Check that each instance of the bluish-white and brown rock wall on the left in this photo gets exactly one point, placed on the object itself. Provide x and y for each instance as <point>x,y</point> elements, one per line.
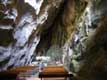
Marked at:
<point>21,23</point>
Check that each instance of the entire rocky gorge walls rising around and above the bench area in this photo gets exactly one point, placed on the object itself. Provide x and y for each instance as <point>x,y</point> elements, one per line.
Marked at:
<point>72,31</point>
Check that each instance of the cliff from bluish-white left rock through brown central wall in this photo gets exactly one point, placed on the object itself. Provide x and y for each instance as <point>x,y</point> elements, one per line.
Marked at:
<point>30,28</point>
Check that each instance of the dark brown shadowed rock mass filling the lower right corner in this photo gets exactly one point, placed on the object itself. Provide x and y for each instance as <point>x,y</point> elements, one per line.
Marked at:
<point>95,58</point>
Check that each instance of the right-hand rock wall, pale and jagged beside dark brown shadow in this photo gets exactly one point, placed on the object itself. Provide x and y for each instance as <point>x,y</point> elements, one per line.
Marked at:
<point>90,50</point>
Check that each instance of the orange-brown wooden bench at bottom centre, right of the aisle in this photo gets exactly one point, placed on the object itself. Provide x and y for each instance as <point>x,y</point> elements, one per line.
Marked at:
<point>55,71</point>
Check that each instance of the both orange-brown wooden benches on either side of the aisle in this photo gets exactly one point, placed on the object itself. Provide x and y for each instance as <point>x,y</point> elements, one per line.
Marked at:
<point>51,71</point>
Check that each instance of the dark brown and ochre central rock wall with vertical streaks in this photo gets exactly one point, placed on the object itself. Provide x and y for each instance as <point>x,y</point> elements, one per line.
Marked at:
<point>62,27</point>
